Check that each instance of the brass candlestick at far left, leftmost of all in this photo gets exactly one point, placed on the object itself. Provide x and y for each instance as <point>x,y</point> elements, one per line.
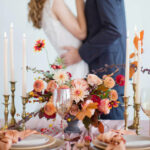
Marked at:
<point>6,97</point>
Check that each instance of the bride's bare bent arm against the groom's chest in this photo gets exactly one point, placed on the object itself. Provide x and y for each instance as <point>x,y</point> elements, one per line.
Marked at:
<point>75,25</point>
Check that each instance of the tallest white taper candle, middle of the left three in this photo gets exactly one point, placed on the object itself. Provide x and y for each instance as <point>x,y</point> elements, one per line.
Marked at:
<point>11,54</point>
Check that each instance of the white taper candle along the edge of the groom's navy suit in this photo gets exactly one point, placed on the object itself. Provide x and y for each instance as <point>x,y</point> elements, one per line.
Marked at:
<point>127,67</point>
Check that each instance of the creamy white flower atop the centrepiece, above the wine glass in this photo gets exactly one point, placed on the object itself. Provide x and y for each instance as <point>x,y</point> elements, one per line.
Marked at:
<point>61,77</point>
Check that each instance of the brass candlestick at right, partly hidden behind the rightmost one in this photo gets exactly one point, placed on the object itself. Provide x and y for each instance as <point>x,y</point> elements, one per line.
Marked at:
<point>133,126</point>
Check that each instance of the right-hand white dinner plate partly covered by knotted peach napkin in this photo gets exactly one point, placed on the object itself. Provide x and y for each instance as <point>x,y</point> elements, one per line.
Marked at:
<point>133,142</point>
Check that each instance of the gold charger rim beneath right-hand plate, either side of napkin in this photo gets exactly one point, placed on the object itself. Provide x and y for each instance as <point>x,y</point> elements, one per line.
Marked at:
<point>102,147</point>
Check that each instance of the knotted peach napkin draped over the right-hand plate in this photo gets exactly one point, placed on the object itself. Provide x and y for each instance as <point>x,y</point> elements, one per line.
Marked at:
<point>114,139</point>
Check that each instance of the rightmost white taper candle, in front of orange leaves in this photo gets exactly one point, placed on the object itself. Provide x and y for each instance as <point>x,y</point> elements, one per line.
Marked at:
<point>138,74</point>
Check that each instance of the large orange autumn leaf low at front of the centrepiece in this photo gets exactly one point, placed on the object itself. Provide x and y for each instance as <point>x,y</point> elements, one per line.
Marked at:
<point>86,111</point>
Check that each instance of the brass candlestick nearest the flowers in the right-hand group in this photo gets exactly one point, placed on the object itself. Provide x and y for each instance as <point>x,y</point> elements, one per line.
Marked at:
<point>126,100</point>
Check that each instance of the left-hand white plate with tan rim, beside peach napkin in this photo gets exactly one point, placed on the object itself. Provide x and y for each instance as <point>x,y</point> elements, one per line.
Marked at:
<point>34,142</point>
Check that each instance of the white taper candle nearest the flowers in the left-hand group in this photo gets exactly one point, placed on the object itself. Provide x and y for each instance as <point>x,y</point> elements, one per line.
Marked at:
<point>24,80</point>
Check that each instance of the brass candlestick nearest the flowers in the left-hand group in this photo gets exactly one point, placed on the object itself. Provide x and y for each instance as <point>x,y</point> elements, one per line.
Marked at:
<point>24,100</point>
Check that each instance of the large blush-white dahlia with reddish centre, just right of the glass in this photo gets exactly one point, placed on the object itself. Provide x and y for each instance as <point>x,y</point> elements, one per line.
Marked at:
<point>78,93</point>
